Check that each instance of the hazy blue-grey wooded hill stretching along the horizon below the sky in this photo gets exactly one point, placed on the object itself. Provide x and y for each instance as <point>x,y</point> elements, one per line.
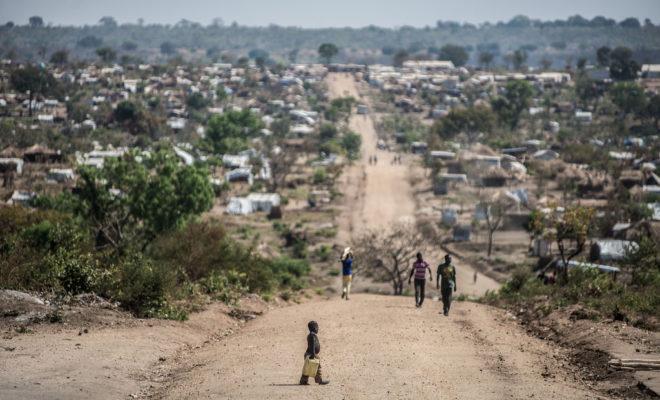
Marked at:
<point>558,41</point>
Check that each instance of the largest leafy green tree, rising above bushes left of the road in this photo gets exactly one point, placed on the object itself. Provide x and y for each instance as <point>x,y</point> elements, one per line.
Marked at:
<point>130,201</point>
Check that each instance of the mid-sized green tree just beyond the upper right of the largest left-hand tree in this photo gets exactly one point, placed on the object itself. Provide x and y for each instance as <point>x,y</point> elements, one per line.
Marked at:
<point>230,131</point>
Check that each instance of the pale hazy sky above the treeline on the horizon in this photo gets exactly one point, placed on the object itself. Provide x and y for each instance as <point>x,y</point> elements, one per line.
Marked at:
<point>319,13</point>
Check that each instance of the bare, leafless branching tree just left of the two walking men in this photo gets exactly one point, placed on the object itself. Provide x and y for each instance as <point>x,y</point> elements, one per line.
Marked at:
<point>387,254</point>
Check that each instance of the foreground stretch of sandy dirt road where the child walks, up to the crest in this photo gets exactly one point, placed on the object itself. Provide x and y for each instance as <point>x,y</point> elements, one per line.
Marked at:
<point>382,347</point>
